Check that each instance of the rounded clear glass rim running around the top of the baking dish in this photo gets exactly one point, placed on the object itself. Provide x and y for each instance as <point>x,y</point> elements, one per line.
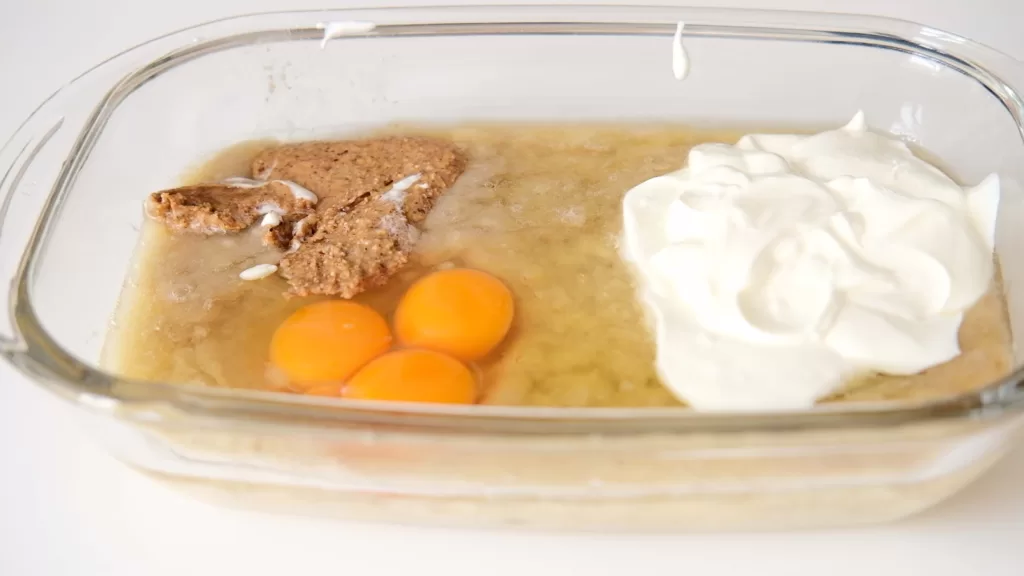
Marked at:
<point>42,358</point>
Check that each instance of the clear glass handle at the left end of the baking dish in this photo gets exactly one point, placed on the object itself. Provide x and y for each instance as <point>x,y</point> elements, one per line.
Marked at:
<point>24,189</point>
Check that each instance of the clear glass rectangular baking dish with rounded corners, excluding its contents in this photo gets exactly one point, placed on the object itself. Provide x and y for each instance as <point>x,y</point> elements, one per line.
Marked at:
<point>77,171</point>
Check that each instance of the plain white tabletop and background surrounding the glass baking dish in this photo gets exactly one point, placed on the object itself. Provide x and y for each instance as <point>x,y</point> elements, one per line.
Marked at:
<point>66,508</point>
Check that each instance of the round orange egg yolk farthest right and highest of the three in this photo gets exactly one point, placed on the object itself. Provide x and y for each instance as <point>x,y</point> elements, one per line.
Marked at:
<point>464,313</point>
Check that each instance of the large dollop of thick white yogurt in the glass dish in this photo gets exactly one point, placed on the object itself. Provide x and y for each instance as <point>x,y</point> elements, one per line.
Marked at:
<point>777,269</point>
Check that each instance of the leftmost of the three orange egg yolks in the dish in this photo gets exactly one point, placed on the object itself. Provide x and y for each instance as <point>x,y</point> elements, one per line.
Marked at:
<point>328,342</point>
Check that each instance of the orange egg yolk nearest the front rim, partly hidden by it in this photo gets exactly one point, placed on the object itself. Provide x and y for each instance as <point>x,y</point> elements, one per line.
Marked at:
<point>414,376</point>
